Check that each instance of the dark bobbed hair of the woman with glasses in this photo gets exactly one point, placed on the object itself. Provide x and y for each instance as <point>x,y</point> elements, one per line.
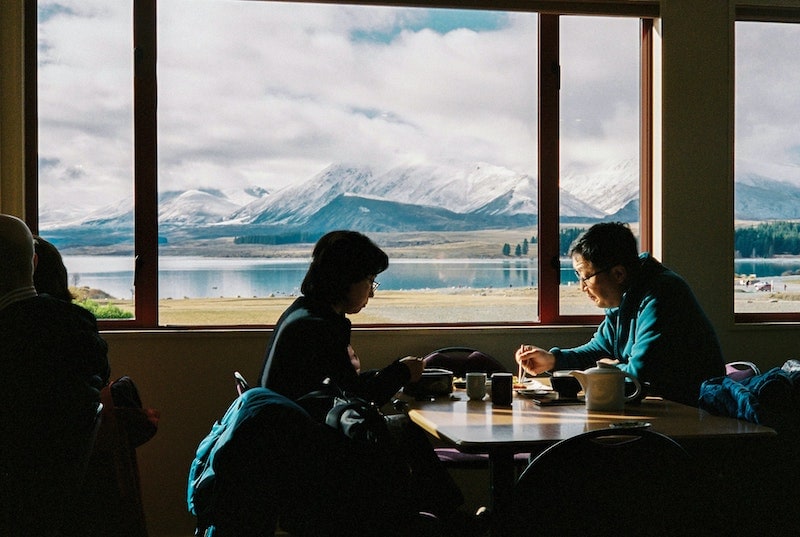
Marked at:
<point>340,259</point>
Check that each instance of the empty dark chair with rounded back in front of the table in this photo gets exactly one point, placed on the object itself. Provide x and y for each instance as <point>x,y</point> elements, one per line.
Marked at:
<point>607,482</point>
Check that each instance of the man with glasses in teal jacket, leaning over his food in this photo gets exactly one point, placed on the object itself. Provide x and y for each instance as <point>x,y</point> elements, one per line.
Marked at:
<point>654,327</point>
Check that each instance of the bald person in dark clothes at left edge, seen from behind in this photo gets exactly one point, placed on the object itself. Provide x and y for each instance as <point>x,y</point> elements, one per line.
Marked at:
<point>53,363</point>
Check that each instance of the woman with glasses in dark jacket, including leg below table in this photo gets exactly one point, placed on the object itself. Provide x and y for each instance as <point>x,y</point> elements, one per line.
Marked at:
<point>311,345</point>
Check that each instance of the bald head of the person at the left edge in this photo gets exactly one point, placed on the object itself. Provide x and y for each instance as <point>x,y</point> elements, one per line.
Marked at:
<point>16,254</point>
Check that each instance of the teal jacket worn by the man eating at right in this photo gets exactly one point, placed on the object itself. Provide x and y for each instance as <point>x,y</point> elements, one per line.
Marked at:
<point>659,333</point>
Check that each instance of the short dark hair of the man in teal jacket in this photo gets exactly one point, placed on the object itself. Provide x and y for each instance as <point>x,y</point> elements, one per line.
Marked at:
<point>607,244</point>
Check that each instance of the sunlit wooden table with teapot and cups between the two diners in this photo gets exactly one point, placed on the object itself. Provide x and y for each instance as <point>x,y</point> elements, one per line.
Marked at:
<point>500,432</point>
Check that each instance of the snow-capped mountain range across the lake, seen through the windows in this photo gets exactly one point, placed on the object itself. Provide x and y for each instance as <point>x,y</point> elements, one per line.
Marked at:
<point>409,198</point>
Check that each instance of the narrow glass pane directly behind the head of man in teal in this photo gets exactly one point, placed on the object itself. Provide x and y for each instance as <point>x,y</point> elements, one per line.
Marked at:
<point>600,120</point>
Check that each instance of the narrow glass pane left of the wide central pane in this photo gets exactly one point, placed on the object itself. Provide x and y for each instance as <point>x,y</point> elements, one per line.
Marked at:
<point>85,147</point>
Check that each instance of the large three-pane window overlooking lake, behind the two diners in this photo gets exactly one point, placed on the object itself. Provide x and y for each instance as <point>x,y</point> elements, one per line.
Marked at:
<point>277,122</point>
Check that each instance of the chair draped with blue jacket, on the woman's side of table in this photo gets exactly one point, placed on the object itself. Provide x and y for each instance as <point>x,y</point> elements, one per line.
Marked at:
<point>267,463</point>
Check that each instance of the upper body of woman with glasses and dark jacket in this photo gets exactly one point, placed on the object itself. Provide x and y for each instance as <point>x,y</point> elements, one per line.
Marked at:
<point>311,341</point>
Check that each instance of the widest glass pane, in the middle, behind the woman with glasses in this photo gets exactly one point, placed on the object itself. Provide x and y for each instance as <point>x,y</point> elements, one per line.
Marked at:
<point>279,122</point>
